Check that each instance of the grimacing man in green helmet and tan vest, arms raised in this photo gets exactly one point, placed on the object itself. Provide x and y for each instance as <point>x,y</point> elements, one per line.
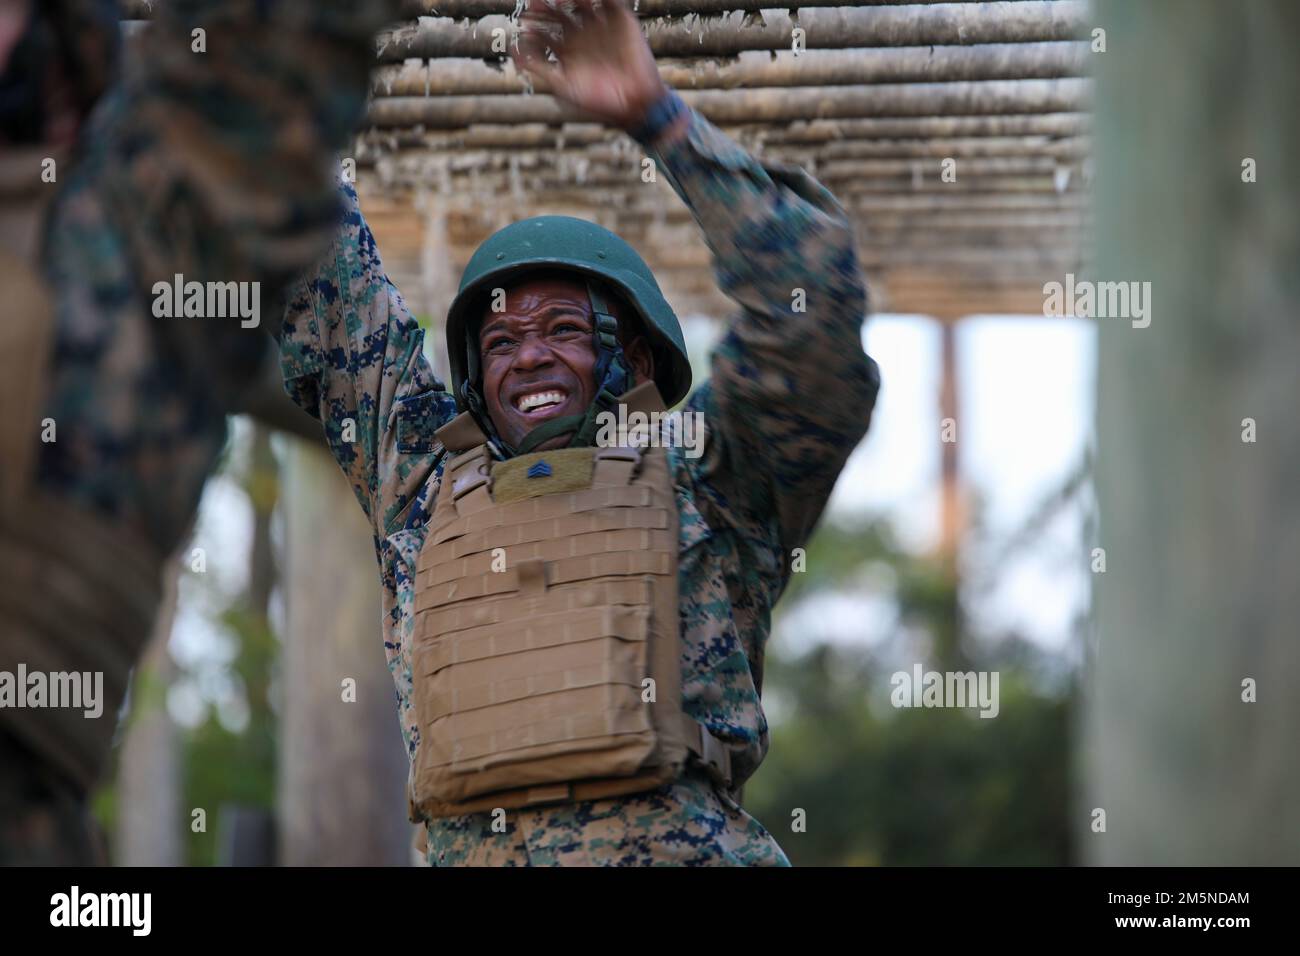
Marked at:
<point>577,617</point>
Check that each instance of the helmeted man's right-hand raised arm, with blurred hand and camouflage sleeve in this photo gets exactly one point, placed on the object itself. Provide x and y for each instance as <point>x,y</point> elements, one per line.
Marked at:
<point>791,392</point>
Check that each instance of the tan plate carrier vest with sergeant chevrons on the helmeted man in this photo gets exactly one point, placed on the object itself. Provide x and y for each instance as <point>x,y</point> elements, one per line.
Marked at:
<point>547,596</point>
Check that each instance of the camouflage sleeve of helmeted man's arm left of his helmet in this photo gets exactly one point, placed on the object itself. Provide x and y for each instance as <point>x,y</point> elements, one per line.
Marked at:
<point>353,356</point>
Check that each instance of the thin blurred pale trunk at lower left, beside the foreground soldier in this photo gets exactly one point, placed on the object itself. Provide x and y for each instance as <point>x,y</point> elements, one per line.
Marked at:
<point>149,775</point>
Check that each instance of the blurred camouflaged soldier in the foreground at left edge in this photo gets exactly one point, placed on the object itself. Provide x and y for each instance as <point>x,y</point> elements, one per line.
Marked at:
<point>207,163</point>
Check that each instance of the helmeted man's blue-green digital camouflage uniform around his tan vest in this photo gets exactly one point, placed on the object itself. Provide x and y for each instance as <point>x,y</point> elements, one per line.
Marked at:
<point>774,448</point>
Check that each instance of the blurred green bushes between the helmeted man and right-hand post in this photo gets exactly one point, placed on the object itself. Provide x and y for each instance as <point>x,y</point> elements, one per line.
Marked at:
<point>881,786</point>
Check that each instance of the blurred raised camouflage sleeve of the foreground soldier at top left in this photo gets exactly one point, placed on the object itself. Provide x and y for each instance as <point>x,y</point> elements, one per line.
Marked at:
<point>227,132</point>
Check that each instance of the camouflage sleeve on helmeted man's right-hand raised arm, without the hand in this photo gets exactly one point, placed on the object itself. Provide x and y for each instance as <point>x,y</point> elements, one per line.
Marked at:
<point>791,390</point>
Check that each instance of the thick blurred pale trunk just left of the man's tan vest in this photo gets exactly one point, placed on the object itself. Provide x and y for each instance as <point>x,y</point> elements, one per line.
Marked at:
<point>343,767</point>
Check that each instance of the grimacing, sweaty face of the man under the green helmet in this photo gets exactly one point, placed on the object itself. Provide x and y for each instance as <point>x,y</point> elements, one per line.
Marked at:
<point>539,357</point>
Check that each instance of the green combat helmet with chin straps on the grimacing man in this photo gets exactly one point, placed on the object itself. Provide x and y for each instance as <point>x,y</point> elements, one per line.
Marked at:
<point>566,245</point>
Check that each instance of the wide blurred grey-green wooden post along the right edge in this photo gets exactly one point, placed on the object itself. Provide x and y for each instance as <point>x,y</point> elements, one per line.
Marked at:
<point>1202,530</point>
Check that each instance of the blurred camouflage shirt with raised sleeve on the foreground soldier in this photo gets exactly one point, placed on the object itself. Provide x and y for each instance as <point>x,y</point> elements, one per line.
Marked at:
<point>216,166</point>
